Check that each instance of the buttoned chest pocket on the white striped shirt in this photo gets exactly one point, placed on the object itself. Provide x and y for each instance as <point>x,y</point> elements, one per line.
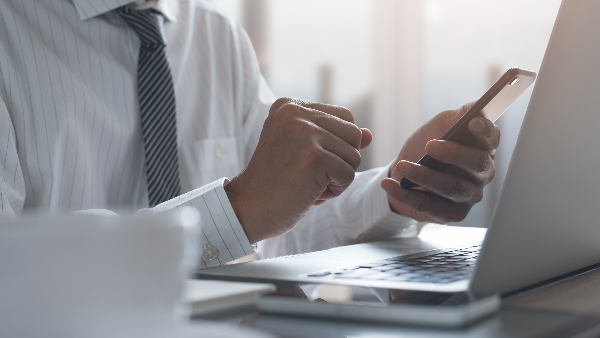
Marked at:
<point>208,160</point>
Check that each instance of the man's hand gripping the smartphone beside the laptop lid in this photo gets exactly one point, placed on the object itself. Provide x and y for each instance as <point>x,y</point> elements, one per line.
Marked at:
<point>448,196</point>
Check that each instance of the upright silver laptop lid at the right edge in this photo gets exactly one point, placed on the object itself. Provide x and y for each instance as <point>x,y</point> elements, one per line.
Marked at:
<point>547,220</point>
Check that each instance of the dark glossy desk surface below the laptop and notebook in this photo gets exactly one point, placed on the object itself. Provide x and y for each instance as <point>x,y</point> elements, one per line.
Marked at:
<point>570,308</point>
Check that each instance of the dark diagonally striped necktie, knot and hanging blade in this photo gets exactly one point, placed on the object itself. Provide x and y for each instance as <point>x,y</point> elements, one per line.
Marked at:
<point>157,105</point>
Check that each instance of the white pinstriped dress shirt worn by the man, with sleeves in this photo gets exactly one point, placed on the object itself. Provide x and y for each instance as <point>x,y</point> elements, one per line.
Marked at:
<point>70,135</point>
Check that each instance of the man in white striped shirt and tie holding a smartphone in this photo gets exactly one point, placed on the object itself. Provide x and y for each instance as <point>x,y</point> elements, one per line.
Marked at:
<point>88,91</point>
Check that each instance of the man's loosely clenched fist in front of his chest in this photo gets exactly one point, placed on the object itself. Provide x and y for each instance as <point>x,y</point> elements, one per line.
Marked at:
<point>307,153</point>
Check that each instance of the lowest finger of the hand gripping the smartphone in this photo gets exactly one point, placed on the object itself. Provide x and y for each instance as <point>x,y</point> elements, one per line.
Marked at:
<point>433,206</point>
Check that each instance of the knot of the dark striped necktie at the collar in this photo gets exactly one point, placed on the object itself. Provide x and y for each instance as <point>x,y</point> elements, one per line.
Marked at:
<point>148,24</point>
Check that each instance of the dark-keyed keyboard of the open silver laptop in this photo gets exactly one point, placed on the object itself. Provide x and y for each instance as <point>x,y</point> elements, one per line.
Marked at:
<point>445,267</point>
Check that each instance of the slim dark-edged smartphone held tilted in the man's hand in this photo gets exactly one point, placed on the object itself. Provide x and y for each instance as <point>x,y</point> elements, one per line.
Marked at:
<point>491,106</point>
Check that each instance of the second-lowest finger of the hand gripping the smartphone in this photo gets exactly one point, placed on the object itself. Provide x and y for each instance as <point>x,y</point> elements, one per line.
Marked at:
<point>447,185</point>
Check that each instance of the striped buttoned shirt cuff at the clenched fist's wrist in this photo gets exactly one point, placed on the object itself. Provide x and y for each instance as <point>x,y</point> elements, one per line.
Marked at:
<point>222,238</point>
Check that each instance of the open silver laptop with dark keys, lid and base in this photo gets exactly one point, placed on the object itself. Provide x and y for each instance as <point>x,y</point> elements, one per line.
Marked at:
<point>546,222</point>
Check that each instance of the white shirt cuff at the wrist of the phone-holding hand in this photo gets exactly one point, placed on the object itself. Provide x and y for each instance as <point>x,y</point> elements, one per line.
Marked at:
<point>378,212</point>
